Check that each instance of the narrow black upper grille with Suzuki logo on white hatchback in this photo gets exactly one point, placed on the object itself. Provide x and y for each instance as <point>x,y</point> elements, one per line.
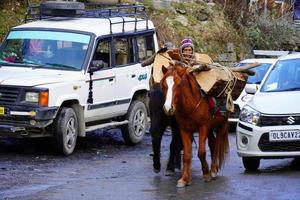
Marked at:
<point>279,120</point>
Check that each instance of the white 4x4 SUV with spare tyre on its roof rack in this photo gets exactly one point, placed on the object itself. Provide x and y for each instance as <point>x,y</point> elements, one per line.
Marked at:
<point>62,76</point>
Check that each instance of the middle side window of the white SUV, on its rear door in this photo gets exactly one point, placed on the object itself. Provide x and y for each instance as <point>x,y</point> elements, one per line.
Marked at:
<point>123,51</point>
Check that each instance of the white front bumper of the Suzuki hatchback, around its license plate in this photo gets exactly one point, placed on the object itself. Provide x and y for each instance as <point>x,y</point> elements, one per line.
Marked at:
<point>253,141</point>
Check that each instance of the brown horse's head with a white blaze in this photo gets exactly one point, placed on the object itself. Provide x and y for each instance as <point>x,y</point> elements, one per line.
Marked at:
<point>170,85</point>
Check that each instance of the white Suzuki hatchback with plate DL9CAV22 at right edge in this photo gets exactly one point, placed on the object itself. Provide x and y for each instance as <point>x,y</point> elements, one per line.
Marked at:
<point>269,124</point>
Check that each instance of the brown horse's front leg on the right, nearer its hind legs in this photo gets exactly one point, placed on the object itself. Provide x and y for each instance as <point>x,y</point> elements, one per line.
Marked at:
<point>203,133</point>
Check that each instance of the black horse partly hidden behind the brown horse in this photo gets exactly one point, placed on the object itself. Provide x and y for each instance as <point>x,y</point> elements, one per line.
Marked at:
<point>158,125</point>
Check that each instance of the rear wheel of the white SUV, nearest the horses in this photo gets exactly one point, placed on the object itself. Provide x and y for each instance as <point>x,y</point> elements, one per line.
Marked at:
<point>134,131</point>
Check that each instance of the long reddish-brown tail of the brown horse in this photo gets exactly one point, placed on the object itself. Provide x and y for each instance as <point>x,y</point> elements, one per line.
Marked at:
<point>222,144</point>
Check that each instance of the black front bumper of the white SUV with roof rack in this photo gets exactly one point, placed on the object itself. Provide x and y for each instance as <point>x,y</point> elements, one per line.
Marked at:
<point>20,121</point>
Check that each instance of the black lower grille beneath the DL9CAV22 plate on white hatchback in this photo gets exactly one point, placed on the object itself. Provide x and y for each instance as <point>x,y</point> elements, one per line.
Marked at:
<point>265,145</point>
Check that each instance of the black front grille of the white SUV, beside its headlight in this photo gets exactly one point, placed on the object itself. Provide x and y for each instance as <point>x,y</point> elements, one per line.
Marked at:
<point>9,95</point>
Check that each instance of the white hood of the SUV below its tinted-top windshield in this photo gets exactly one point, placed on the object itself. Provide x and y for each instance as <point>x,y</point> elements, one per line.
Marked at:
<point>34,77</point>
